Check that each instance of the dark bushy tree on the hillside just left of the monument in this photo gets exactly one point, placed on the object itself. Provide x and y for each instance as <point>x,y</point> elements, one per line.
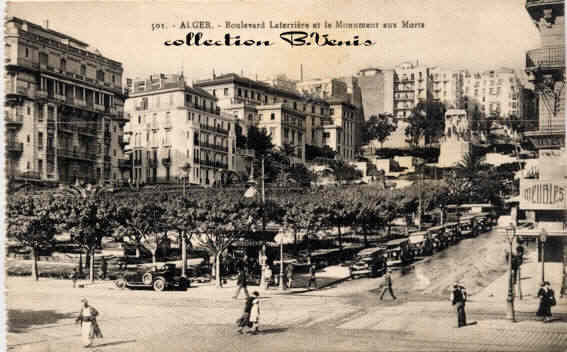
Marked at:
<point>427,120</point>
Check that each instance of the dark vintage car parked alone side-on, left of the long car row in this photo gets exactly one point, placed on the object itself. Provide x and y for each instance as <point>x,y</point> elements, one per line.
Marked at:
<point>161,279</point>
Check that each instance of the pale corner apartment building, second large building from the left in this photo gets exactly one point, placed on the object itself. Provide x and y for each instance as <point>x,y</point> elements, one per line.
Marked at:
<point>177,131</point>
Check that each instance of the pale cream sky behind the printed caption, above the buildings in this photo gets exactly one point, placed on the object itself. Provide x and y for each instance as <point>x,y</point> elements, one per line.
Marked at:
<point>474,35</point>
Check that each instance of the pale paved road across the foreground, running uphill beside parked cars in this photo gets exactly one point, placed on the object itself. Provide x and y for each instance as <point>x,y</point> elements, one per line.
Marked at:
<point>347,317</point>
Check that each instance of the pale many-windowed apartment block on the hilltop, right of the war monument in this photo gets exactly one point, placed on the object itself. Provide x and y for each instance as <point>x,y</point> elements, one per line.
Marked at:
<point>495,93</point>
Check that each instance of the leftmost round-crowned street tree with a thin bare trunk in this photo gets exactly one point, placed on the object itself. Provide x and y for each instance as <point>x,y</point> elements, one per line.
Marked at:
<point>32,222</point>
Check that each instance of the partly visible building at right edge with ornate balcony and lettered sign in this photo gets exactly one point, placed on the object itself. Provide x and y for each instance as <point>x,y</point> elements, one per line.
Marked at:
<point>543,195</point>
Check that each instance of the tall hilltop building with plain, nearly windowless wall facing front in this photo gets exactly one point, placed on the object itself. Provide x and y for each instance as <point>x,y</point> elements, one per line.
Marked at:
<point>377,91</point>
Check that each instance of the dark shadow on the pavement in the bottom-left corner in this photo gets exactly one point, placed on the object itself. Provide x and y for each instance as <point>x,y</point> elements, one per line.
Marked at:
<point>21,320</point>
